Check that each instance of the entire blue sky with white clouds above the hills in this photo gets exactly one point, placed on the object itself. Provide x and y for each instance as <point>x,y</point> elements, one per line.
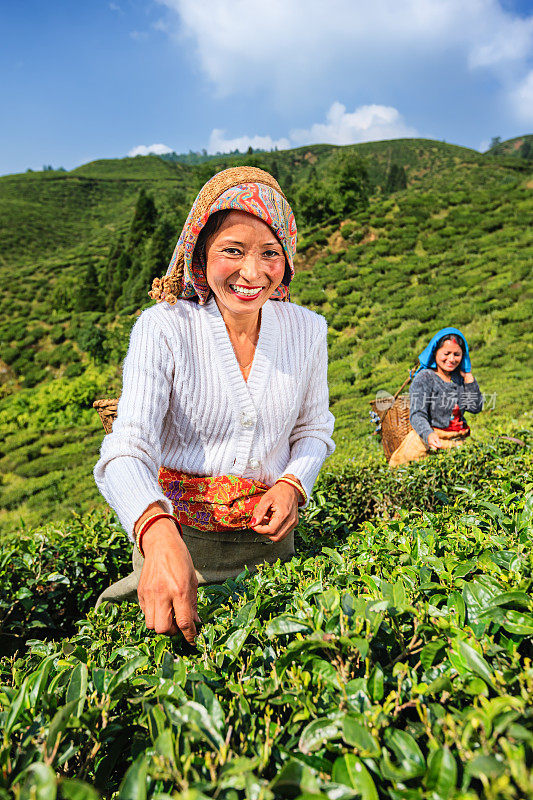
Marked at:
<point>100,79</point>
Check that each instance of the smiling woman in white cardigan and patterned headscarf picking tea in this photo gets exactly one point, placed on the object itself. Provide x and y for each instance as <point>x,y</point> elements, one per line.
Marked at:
<point>223,423</point>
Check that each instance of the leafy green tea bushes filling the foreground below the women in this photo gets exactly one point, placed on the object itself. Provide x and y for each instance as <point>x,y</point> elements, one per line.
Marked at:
<point>390,658</point>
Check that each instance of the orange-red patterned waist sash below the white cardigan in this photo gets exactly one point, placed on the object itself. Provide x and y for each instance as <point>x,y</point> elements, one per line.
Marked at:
<point>212,503</point>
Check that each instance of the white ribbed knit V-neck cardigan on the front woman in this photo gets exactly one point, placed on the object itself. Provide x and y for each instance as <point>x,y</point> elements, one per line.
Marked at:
<point>186,406</point>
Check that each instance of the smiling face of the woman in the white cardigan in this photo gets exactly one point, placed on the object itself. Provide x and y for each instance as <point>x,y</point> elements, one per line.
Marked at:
<point>245,263</point>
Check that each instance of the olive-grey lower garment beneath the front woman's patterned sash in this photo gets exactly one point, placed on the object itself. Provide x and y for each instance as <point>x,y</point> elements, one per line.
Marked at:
<point>216,556</point>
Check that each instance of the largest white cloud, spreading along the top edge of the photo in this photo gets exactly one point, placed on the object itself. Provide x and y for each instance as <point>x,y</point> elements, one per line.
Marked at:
<point>286,46</point>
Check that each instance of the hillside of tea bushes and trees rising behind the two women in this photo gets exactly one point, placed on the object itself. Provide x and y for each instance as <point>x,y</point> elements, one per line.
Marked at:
<point>397,239</point>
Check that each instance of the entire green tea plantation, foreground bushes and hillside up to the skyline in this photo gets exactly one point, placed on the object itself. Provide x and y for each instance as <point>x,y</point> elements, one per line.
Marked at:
<point>392,657</point>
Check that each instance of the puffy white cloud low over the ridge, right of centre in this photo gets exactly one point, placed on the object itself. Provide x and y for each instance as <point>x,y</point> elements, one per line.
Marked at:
<point>366,124</point>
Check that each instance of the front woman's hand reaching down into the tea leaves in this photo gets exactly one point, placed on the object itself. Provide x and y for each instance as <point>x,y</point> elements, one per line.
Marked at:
<point>168,586</point>
